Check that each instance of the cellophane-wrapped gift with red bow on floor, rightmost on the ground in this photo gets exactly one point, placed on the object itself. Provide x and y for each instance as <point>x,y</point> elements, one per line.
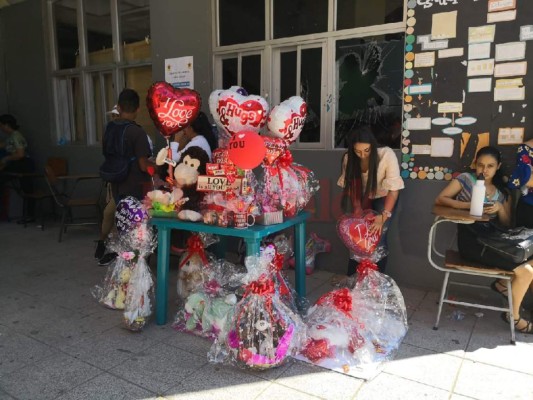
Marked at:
<point>354,331</point>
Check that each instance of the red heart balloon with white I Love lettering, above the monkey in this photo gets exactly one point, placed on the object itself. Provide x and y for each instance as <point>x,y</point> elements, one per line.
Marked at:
<point>172,109</point>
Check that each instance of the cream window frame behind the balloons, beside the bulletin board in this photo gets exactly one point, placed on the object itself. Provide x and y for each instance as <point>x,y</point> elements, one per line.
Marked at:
<point>270,71</point>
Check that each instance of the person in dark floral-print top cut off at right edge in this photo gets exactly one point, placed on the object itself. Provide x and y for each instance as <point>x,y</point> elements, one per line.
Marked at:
<point>522,179</point>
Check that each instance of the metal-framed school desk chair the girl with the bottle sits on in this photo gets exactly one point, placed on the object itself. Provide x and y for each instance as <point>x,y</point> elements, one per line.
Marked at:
<point>451,263</point>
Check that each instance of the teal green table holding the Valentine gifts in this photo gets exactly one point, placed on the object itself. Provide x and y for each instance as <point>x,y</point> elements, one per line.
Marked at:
<point>252,237</point>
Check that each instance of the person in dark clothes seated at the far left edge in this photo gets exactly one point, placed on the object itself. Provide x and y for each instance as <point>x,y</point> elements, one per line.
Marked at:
<point>15,159</point>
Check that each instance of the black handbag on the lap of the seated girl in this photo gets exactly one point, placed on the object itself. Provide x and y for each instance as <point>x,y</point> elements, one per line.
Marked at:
<point>515,245</point>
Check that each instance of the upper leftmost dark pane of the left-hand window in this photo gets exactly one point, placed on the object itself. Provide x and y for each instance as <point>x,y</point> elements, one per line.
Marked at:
<point>66,34</point>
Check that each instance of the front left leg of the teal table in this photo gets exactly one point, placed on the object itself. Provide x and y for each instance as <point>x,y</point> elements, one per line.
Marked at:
<point>161,292</point>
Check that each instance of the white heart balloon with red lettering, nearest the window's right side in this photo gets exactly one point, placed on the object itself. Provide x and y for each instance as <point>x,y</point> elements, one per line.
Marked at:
<point>287,119</point>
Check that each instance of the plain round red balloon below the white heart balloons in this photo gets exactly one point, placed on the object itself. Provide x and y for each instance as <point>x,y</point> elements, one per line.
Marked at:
<point>246,149</point>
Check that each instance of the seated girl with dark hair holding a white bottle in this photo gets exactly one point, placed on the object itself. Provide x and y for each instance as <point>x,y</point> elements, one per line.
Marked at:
<point>457,195</point>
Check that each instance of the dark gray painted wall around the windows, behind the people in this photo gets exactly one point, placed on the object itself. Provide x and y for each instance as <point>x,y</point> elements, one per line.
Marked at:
<point>183,28</point>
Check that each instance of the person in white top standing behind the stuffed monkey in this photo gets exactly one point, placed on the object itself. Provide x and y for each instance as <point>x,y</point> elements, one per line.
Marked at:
<point>199,134</point>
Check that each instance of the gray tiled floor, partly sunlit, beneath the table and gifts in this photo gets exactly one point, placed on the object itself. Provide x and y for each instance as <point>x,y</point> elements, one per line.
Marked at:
<point>56,342</point>
